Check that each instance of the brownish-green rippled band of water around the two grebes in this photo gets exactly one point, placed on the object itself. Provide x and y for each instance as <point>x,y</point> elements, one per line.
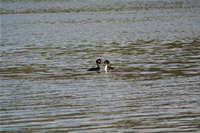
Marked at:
<point>148,61</point>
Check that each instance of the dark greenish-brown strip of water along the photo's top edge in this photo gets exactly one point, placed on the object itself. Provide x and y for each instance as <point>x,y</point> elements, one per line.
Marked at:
<point>90,6</point>
